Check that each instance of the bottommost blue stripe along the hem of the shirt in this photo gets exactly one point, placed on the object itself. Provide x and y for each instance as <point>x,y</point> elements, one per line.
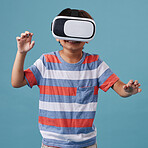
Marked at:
<point>68,143</point>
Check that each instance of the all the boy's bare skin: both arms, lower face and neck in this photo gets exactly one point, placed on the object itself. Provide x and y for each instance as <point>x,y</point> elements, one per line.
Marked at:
<point>71,53</point>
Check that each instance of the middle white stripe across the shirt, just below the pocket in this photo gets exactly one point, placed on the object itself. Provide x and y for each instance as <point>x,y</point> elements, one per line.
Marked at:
<point>70,107</point>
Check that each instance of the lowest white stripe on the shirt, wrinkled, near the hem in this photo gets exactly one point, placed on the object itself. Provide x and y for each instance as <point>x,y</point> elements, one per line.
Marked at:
<point>68,137</point>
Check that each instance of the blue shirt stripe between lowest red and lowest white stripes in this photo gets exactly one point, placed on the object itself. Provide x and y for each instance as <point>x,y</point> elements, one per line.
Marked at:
<point>65,130</point>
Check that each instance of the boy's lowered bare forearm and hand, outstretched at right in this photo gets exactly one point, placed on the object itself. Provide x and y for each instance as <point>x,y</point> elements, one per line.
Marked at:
<point>126,90</point>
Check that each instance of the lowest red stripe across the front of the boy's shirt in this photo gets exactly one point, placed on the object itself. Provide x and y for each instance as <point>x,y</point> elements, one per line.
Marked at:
<point>66,122</point>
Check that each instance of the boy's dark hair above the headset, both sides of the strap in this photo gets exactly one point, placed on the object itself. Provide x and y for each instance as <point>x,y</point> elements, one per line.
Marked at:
<point>81,13</point>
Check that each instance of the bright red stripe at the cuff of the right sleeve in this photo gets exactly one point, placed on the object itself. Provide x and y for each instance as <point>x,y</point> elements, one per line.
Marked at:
<point>109,82</point>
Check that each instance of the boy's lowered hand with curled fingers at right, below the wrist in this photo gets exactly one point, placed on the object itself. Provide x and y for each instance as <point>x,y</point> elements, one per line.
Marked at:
<point>132,87</point>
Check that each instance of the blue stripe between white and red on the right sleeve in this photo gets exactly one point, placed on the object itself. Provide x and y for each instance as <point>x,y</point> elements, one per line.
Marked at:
<point>104,76</point>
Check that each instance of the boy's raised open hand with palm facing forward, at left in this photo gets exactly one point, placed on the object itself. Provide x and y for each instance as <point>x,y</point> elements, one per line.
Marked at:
<point>24,43</point>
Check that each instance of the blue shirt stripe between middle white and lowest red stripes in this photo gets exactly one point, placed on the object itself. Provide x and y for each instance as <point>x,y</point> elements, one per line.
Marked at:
<point>67,115</point>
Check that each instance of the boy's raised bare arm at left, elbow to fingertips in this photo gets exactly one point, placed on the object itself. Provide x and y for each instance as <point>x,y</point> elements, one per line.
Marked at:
<point>24,44</point>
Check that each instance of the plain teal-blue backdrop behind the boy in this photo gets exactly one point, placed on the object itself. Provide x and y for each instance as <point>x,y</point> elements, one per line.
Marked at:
<point>121,41</point>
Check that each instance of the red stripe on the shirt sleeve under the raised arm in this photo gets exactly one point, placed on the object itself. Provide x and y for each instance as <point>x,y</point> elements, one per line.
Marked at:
<point>30,77</point>
